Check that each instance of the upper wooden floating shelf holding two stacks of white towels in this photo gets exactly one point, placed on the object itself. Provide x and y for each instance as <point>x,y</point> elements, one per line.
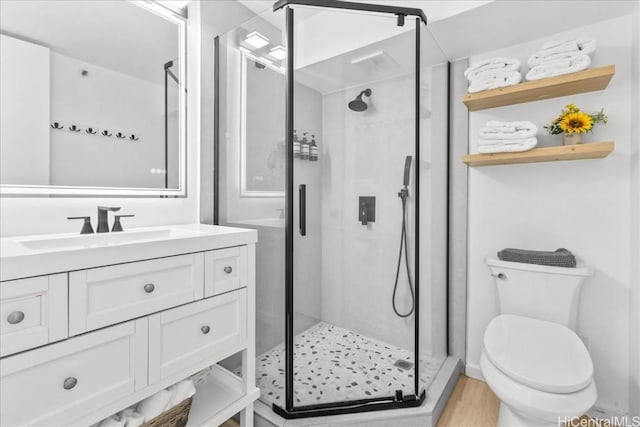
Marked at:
<point>569,84</point>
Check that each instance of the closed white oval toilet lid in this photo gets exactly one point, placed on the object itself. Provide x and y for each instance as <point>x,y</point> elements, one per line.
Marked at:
<point>540,354</point>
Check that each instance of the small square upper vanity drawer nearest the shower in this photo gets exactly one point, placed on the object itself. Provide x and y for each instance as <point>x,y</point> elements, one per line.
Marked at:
<point>225,270</point>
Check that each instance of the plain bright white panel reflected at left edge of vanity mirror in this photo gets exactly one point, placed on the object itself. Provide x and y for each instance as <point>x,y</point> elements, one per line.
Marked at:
<point>24,112</point>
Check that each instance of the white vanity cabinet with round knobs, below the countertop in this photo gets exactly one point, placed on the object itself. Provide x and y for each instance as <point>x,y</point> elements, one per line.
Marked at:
<point>81,345</point>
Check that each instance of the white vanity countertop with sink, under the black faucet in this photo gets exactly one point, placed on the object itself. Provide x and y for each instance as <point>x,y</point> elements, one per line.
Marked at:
<point>27,256</point>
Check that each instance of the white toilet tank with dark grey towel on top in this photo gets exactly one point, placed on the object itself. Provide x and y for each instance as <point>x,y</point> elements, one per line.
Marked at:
<point>539,291</point>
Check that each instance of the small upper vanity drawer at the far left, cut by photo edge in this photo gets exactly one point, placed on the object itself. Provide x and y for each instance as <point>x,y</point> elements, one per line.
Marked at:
<point>33,312</point>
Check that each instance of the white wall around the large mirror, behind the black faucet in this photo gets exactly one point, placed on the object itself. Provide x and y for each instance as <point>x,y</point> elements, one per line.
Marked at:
<point>21,216</point>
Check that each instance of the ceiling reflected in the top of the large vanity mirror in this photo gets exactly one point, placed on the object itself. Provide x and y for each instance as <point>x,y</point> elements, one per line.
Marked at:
<point>110,33</point>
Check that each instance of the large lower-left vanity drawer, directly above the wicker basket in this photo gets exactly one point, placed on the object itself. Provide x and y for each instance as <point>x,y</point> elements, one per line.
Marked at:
<point>47,386</point>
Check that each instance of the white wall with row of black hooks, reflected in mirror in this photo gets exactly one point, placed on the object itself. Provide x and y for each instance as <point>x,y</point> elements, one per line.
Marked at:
<point>106,99</point>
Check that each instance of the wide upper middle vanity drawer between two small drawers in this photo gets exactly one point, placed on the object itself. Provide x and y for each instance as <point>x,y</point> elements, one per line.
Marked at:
<point>107,295</point>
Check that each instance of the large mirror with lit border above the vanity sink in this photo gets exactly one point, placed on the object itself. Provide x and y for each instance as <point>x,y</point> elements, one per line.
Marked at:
<point>92,98</point>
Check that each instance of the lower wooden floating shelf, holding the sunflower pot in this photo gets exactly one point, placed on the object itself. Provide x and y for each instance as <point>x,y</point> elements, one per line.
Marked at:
<point>590,150</point>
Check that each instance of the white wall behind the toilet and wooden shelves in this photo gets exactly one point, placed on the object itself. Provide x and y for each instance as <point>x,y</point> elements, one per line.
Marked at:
<point>580,205</point>
